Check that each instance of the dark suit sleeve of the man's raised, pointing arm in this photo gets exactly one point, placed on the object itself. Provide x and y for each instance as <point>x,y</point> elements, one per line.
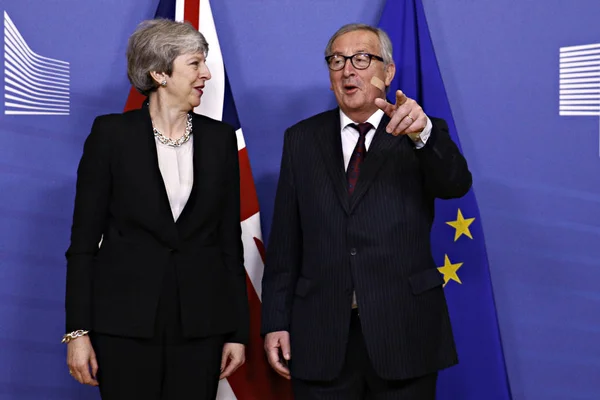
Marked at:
<point>445,170</point>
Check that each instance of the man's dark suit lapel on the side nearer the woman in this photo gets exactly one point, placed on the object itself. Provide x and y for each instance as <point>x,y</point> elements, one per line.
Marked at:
<point>330,144</point>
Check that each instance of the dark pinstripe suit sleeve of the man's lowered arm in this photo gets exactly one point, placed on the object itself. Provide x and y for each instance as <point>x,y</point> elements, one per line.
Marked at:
<point>283,258</point>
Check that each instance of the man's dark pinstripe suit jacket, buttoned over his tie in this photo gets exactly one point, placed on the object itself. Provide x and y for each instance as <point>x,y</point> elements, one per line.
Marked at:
<point>324,245</point>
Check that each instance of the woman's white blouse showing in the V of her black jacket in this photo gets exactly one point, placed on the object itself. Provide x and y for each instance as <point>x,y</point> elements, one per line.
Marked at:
<point>177,169</point>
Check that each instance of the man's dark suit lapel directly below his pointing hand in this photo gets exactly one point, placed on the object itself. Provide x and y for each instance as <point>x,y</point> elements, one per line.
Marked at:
<point>378,152</point>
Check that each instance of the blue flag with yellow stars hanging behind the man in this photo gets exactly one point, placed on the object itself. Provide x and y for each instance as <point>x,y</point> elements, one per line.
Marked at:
<point>457,236</point>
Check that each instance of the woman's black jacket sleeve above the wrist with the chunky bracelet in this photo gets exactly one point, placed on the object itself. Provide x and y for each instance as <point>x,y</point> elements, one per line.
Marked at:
<point>89,219</point>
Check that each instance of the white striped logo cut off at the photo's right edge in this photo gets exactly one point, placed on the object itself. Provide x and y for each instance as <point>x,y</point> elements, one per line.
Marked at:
<point>579,71</point>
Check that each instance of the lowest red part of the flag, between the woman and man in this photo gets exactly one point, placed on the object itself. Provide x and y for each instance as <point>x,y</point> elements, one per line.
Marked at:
<point>255,380</point>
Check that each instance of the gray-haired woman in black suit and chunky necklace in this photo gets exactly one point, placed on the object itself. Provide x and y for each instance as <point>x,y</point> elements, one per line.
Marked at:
<point>159,309</point>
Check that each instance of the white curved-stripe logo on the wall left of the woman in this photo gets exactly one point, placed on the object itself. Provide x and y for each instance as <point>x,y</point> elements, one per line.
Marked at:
<point>33,84</point>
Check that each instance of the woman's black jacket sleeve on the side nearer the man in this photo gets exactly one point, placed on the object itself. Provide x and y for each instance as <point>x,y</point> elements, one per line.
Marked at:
<point>231,241</point>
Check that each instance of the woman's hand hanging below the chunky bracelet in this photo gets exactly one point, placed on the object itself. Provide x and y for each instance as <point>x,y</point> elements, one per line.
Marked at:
<point>80,358</point>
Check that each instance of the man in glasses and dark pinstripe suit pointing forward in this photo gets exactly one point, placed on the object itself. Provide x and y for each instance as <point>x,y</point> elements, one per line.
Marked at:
<point>352,299</point>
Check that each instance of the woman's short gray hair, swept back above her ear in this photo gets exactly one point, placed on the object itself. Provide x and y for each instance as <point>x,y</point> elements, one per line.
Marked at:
<point>154,46</point>
